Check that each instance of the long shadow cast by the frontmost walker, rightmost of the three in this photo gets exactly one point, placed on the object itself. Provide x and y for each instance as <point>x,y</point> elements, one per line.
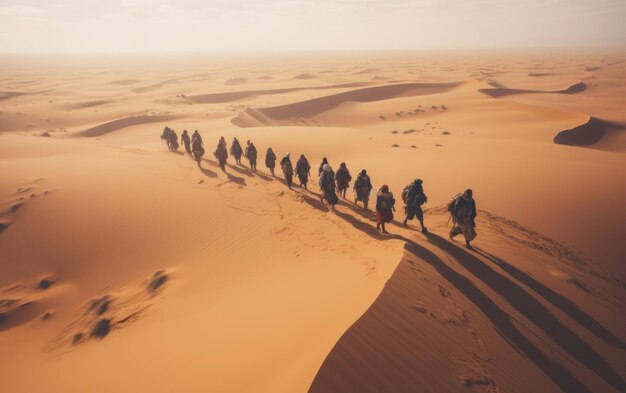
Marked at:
<point>559,301</point>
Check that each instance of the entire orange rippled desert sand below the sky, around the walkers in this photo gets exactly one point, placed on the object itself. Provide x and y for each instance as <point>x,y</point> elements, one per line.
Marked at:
<point>124,267</point>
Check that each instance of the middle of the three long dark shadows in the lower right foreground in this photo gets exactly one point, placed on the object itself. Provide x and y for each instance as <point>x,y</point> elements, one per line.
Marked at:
<point>534,311</point>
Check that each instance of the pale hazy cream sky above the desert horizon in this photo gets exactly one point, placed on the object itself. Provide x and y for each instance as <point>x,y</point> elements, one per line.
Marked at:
<point>284,25</point>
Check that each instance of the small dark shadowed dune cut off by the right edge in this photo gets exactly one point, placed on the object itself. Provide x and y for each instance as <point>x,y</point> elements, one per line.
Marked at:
<point>595,133</point>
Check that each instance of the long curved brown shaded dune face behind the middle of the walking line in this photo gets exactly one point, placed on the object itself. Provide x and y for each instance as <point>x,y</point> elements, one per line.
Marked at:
<point>313,107</point>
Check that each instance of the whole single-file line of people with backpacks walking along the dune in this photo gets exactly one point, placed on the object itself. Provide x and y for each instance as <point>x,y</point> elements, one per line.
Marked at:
<point>462,207</point>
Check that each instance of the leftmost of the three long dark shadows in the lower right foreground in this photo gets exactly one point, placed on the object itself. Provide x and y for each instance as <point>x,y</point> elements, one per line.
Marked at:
<point>560,375</point>
